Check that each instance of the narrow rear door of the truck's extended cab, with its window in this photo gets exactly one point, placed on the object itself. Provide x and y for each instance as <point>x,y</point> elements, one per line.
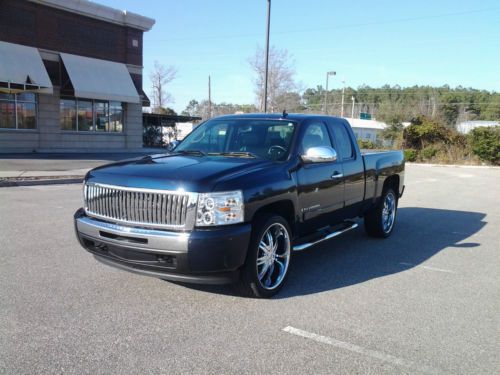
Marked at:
<point>353,167</point>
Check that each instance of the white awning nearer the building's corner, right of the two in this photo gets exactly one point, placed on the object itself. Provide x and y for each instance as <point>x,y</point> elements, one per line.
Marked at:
<point>100,79</point>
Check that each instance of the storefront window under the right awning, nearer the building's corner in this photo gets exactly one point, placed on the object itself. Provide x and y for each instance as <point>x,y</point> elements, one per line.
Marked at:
<point>91,115</point>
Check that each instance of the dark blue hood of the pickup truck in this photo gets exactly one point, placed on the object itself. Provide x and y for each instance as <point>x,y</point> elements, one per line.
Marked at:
<point>172,172</point>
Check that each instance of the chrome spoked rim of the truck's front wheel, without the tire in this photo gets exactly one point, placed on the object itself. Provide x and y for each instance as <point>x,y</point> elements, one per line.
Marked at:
<point>273,256</point>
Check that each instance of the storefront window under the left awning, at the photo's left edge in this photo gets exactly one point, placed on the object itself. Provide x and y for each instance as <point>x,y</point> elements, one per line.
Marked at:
<point>18,111</point>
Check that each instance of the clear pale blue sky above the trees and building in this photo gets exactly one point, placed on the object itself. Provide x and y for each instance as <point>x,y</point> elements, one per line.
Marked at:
<point>408,43</point>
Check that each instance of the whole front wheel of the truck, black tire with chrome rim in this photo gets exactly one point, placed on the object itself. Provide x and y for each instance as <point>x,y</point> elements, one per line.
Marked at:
<point>268,257</point>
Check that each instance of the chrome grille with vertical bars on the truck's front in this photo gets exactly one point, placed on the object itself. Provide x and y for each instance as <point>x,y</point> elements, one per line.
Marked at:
<point>155,208</point>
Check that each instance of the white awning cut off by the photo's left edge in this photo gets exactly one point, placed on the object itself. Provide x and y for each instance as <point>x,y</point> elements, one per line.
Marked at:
<point>22,69</point>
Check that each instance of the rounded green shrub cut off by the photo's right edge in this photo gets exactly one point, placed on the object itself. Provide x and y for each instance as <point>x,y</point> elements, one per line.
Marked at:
<point>485,143</point>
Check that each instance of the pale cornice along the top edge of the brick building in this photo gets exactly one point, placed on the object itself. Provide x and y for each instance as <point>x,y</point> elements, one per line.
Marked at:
<point>101,12</point>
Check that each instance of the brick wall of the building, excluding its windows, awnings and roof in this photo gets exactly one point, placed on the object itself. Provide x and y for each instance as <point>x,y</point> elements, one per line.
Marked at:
<point>53,31</point>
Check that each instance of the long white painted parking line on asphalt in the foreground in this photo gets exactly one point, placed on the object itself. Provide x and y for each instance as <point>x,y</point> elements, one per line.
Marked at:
<point>360,350</point>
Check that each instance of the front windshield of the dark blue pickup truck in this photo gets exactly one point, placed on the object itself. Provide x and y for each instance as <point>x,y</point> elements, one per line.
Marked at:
<point>268,139</point>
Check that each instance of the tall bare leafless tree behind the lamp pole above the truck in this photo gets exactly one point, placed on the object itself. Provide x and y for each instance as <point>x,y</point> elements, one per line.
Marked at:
<point>280,76</point>
